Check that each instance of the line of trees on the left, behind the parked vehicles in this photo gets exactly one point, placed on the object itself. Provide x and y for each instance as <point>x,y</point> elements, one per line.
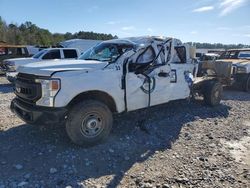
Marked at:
<point>29,34</point>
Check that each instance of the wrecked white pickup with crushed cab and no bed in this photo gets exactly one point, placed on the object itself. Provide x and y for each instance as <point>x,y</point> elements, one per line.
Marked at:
<point>115,76</point>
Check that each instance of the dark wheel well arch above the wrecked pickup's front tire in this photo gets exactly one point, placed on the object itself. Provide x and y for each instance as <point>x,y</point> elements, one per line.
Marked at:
<point>95,95</point>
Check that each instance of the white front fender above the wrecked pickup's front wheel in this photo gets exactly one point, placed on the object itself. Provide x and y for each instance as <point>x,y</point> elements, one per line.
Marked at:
<point>74,83</point>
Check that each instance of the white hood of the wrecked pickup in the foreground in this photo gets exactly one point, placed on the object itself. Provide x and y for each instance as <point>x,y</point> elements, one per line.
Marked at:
<point>46,68</point>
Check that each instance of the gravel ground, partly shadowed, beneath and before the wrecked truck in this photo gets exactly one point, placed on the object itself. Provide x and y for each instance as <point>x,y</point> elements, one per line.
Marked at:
<point>179,144</point>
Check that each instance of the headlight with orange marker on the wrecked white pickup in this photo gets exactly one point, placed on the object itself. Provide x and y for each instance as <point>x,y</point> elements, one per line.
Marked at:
<point>49,90</point>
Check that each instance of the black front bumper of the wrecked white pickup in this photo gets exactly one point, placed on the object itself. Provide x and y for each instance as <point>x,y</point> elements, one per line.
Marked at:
<point>36,114</point>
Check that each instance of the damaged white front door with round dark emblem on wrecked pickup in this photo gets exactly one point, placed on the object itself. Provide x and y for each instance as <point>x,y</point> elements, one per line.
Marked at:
<point>141,94</point>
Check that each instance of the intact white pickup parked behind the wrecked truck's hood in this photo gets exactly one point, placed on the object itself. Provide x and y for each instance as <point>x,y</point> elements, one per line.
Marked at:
<point>10,65</point>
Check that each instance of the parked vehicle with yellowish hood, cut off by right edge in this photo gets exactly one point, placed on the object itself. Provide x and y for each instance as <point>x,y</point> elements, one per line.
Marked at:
<point>240,60</point>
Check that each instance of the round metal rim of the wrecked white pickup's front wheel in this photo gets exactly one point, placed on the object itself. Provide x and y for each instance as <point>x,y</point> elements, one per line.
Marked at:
<point>92,125</point>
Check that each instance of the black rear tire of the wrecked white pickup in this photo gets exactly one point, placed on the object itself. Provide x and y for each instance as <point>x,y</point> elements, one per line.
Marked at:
<point>212,93</point>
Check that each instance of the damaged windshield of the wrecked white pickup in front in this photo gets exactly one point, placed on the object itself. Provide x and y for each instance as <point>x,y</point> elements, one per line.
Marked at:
<point>106,52</point>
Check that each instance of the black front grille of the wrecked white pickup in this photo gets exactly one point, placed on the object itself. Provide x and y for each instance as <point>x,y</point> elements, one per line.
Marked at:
<point>26,88</point>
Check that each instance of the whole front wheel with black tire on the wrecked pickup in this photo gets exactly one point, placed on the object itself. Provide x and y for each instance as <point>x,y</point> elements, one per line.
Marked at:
<point>89,123</point>
